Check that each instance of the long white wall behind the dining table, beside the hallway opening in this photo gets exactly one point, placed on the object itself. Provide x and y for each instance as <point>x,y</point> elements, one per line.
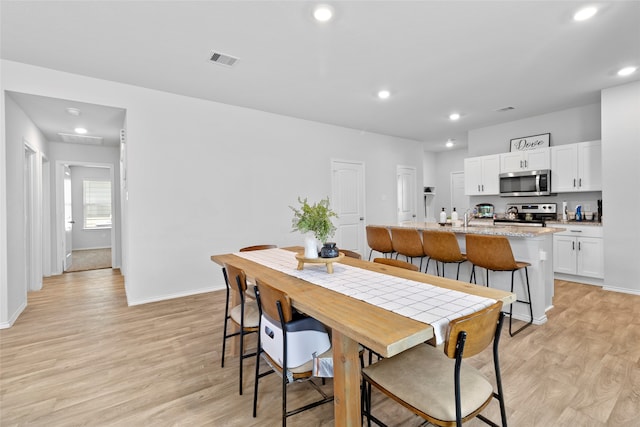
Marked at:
<point>206,178</point>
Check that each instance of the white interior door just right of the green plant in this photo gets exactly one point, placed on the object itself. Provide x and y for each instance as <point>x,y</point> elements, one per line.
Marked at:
<point>347,187</point>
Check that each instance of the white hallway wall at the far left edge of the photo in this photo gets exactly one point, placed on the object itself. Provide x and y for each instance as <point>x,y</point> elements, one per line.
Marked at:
<point>19,129</point>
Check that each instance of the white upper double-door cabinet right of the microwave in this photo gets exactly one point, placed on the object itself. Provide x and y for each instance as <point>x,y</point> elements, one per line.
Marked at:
<point>576,167</point>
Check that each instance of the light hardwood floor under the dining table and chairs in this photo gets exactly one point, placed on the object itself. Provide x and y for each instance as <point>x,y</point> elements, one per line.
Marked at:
<point>79,356</point>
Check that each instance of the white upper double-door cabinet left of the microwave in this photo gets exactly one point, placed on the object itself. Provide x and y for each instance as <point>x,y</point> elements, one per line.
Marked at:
<point>481,175</point>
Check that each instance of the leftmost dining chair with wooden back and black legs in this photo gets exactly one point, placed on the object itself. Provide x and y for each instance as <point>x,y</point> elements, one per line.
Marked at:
<point>245,316</point>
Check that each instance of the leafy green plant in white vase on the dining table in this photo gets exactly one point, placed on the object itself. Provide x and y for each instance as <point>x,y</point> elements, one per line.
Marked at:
<point>315,219</point>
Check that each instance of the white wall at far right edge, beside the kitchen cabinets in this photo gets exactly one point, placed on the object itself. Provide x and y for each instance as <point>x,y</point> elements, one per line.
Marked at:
<point>621,176</point>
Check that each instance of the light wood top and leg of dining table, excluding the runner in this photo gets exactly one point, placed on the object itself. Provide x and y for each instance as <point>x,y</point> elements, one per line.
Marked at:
<point>355,322</point>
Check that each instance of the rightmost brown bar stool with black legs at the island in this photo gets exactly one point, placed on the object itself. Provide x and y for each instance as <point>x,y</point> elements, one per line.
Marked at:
<point>494,253</point>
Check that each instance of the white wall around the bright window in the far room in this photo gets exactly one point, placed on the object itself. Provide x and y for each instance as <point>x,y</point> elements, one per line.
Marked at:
<point>87,238</point>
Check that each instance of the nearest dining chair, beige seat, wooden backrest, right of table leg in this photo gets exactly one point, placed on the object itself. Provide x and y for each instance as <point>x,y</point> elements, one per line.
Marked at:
<point>435,383</point>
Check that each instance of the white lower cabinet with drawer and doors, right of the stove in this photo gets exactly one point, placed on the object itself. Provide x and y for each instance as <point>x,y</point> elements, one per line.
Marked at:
<point>579,251</point>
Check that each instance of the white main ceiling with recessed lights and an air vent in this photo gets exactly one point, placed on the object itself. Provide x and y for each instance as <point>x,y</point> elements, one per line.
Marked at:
<point>436,57</point>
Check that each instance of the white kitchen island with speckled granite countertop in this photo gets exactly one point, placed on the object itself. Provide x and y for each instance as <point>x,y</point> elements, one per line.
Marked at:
<point>530,244</point>
